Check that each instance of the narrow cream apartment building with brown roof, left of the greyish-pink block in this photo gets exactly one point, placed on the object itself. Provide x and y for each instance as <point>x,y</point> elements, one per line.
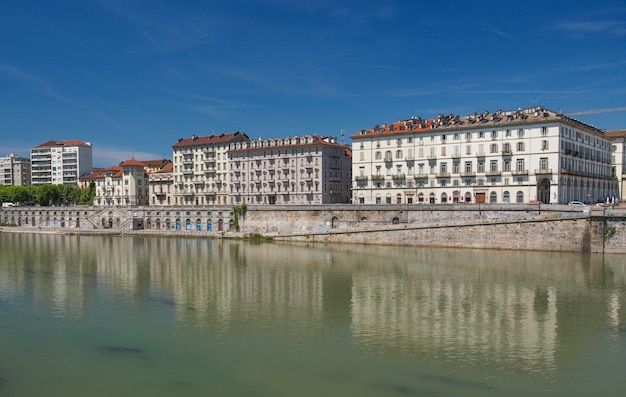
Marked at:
<point>200,168</point>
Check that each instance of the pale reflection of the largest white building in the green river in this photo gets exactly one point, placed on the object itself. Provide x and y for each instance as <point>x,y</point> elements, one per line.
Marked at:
<point>462,320</point>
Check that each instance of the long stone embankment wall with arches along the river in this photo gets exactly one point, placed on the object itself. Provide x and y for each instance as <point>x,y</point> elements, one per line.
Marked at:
<point>519,227</point>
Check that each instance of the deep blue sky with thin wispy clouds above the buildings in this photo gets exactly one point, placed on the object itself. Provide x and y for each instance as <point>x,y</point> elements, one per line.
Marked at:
<point>132,77</point>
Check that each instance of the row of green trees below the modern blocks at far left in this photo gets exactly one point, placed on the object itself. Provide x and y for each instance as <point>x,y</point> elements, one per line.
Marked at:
<point>47,194</point>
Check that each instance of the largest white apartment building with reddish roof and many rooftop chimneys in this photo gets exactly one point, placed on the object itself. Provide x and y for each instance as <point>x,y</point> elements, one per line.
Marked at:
<point>517,156</point>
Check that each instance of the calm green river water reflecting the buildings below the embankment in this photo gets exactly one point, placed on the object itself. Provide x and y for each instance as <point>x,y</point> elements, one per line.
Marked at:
<point>131,316</point>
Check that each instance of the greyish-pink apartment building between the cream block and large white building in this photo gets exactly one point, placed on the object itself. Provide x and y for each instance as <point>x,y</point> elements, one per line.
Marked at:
<point>296,170</point>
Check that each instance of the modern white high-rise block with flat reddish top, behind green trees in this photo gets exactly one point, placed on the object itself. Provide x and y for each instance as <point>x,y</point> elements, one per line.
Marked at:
<point>60,163</point>
